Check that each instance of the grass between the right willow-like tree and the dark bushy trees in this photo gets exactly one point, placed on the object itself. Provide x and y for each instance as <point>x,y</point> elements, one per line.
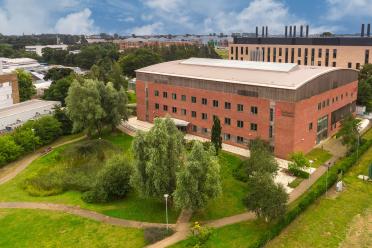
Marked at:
<point>233,192</point>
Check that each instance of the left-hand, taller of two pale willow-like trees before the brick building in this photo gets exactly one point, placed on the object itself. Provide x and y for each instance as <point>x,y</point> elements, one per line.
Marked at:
<point>157,156</point>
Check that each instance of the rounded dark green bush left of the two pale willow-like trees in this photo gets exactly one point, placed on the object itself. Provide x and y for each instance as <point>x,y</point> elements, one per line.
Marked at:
<point>113,182</point>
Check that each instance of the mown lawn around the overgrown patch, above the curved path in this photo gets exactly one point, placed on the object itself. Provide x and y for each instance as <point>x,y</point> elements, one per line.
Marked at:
<point>132,207</point>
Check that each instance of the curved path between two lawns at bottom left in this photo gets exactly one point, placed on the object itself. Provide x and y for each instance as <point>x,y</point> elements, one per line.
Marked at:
<point>82,213</point>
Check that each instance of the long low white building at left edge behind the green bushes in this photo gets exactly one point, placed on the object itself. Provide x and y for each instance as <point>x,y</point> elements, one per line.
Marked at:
<point>17,114</point>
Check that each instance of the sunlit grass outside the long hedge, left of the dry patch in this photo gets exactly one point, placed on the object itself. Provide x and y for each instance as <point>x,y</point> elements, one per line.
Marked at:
<point>326,223</point>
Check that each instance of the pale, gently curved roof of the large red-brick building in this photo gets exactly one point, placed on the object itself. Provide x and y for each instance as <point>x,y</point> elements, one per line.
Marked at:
<point>266,74</point>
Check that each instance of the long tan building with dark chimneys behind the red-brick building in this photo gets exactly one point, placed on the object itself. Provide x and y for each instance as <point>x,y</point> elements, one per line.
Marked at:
<point>297,46</point>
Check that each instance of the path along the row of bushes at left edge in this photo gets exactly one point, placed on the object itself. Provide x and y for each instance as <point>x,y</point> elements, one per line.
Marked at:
<point>18,166</point>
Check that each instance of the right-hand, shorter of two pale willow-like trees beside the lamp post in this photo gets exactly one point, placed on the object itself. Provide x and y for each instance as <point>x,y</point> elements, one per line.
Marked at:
<point>199,180</point>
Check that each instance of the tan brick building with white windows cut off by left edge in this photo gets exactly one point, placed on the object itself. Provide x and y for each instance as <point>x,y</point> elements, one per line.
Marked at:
<point>9,93</point>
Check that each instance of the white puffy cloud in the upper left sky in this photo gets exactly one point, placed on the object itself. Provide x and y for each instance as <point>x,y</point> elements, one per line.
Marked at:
<point>76,23</point>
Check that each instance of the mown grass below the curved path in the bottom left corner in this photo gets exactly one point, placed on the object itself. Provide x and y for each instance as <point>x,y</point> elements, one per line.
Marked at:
<point>42,228</point>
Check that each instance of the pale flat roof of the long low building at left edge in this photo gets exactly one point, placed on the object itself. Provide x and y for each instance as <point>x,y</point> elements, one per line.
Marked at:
<point>23,107</point>
